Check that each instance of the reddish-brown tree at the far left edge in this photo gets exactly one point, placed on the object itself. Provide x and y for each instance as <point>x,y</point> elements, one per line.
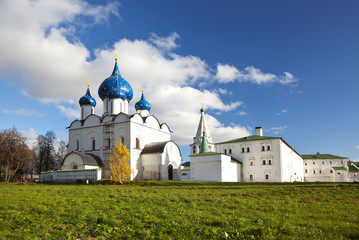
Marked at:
<point>15,155</point>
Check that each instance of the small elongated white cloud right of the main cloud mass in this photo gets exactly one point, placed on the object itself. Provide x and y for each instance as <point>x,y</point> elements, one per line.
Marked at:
<point>227,73</point>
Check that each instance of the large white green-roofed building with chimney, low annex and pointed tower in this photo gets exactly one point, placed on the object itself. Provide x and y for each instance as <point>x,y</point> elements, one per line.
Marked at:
<point>254,158</point>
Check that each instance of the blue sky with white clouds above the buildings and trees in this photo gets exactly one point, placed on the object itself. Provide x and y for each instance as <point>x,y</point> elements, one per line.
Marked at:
<point>291,67</point>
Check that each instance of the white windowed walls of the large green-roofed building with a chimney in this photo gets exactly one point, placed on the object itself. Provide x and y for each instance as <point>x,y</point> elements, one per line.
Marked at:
<point>265,159</point>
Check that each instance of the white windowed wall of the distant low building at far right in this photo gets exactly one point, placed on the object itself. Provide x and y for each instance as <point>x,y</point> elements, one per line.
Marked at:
<point>322,170</point>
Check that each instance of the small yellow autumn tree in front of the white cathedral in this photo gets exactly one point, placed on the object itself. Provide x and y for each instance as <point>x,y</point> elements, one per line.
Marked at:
<point>118,163</point>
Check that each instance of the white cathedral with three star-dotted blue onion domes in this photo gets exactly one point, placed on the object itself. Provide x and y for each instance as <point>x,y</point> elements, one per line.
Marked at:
<point>152,153</point>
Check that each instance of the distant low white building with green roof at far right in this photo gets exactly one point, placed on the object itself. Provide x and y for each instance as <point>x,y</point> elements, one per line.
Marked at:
<point>325,168</point>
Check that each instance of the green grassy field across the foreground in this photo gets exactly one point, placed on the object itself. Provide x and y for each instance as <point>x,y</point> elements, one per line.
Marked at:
<point>180,210</point>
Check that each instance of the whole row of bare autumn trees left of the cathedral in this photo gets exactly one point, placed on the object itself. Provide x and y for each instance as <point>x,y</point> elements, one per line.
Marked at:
<point>18,160</point>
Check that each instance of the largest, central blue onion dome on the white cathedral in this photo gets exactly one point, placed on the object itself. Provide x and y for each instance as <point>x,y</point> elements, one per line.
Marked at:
<point>117,83</point>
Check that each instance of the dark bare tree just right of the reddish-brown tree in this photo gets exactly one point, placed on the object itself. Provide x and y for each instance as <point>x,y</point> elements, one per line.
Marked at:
<point>45,152</point>
